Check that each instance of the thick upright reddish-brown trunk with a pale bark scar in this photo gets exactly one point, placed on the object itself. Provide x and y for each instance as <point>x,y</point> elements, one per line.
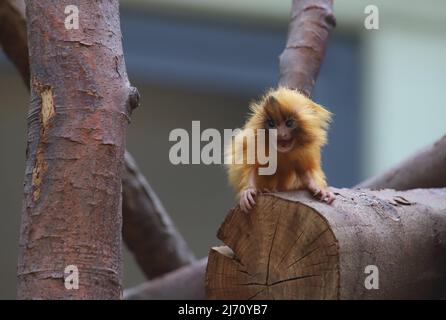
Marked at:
<point>80,107</point>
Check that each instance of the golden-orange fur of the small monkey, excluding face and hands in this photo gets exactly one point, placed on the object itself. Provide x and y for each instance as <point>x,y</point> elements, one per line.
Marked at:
<point>312,121</point>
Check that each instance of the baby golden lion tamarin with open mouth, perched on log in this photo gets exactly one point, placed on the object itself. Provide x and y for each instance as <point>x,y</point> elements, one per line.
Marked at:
<point>301,130</point>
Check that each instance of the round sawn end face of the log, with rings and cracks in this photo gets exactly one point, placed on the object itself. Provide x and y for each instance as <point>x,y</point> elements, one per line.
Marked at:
<point>284,251</point>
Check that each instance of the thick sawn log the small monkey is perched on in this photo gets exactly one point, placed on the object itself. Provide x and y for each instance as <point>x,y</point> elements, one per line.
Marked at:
<point>293,247</point>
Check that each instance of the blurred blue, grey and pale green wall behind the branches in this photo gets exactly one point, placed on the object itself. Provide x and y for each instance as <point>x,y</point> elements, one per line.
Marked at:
<point>205,60</point>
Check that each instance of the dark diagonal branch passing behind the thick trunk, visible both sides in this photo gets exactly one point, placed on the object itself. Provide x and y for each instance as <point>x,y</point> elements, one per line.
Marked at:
<point>147,225</point>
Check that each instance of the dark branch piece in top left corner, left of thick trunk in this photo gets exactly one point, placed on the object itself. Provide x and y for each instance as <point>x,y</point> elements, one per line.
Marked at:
<point>13,37</point>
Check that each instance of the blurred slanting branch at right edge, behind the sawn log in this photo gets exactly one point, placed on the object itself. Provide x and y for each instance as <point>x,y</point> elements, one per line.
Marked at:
<point>425,169</point>
